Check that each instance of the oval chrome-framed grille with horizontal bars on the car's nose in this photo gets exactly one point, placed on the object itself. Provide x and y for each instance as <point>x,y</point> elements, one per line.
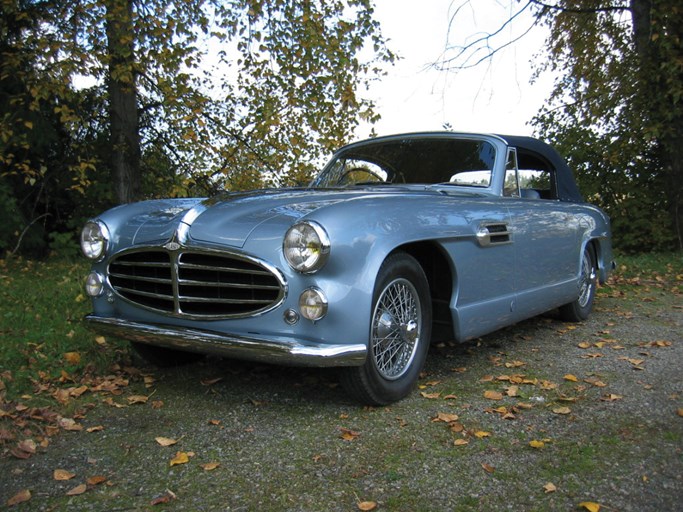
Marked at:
<point>196,284</point>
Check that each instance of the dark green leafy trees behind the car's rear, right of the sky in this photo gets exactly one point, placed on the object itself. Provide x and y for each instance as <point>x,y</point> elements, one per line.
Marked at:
<point>616,111</point>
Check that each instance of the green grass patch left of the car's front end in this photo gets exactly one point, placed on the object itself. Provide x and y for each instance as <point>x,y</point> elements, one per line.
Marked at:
<point>44,339</point>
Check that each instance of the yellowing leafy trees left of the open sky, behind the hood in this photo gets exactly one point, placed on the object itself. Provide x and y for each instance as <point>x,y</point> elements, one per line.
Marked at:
<point>236,94</point>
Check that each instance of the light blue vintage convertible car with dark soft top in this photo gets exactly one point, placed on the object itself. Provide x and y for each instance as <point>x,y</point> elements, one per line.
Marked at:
<point>399,241</point>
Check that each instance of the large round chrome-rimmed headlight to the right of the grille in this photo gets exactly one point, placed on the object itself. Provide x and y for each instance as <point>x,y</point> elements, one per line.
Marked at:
<point>306,247</point>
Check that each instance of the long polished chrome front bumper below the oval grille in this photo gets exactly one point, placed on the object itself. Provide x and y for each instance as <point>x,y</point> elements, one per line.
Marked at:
<point>278,351</point>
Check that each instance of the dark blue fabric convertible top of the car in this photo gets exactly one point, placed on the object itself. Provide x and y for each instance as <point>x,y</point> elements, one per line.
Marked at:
<point>529,147</point>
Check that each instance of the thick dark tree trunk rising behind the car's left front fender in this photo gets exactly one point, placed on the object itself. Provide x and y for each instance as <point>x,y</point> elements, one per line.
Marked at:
<point>123,111</point>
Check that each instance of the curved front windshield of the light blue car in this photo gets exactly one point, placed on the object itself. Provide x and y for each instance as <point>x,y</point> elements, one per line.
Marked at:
<point>463,162</point>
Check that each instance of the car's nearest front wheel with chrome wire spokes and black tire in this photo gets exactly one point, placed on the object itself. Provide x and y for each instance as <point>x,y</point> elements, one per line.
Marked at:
<point>400,331</point>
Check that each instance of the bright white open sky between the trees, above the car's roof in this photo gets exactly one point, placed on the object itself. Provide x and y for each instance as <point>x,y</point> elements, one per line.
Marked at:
<point>495,96</point>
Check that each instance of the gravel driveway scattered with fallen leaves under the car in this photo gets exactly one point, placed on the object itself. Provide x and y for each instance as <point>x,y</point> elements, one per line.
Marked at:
<point>541,416</point>
